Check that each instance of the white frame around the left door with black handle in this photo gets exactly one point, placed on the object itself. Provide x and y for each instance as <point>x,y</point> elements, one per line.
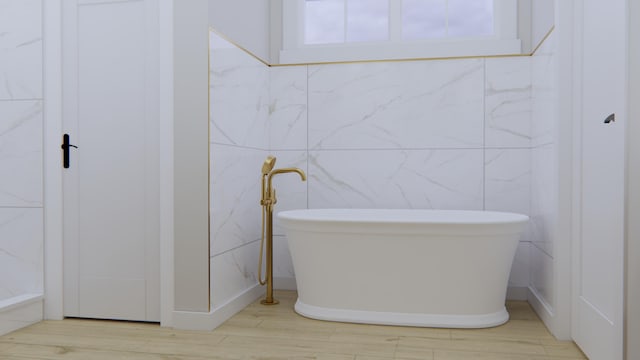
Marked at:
<point>53,214</point>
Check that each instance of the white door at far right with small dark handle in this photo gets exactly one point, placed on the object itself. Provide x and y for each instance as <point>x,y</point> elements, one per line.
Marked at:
<point>599,256</point>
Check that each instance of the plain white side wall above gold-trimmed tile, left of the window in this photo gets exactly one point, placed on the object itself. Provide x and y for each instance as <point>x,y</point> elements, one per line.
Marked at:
<point>247,22</point>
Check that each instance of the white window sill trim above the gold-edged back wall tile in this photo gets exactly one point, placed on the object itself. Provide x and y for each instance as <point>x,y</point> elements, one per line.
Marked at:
<point>409,51</point>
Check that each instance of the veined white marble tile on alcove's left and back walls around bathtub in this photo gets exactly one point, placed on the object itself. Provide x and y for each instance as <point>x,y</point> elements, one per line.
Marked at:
<point>449,134</point>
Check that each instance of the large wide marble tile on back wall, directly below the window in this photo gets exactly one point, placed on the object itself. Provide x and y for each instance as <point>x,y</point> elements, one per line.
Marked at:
<point>397,105</point>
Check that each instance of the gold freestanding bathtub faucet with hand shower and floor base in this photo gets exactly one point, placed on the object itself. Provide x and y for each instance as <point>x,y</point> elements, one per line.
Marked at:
<point>268,201</point>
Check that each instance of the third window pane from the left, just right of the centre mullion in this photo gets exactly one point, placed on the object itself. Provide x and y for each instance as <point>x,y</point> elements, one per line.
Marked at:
<point>424,19</point>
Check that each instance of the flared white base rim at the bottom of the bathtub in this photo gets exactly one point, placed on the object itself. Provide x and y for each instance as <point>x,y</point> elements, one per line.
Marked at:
<point>473,321</point>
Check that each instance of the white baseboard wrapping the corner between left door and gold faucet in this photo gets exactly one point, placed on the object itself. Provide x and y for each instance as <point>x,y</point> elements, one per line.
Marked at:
<point>187,320</point>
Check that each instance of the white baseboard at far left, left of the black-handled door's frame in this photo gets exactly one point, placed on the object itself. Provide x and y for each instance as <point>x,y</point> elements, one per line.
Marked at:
<point>20,311</point>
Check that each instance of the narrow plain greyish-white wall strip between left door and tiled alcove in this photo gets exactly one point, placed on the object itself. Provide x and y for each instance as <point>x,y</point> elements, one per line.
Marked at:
<point>191,161</point>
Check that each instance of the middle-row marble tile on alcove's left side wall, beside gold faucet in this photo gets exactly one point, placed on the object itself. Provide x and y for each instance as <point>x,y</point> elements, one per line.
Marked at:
<point>235,196</point>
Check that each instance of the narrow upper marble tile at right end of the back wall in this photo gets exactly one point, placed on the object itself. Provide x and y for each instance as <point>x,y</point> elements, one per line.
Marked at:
<point>508,102</point>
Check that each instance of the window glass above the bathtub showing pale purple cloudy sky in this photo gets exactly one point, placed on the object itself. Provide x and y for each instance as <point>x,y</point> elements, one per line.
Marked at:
<point>344,21</point>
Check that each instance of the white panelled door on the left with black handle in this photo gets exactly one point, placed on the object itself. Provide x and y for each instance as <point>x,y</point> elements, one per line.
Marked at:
<point>111,246</point>
